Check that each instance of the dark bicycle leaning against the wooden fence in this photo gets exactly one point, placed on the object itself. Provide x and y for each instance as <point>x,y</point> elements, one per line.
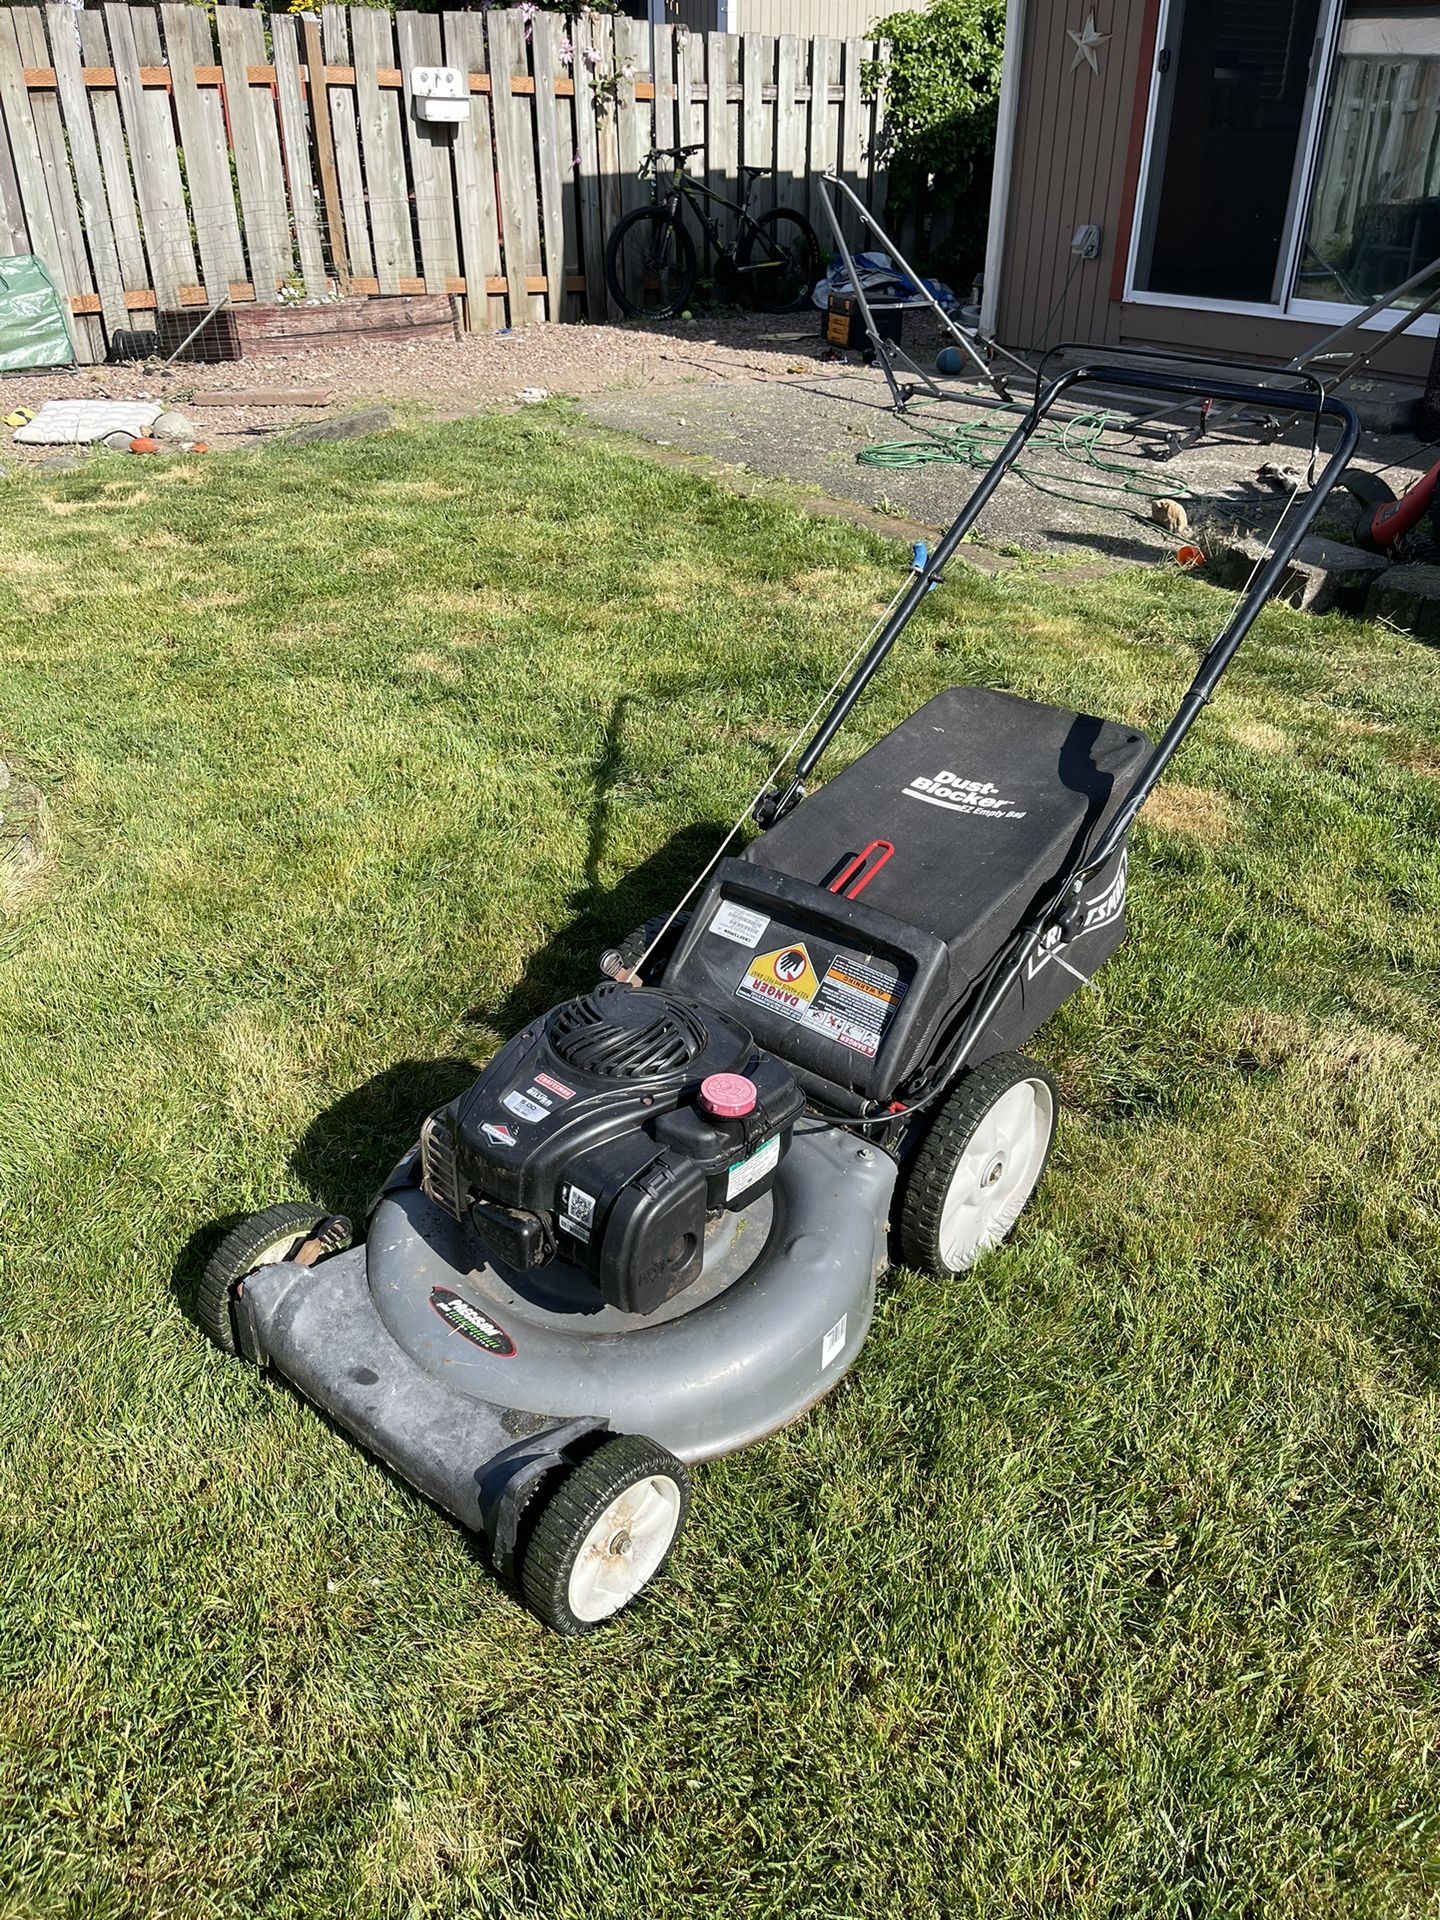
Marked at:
<point>650,258</point>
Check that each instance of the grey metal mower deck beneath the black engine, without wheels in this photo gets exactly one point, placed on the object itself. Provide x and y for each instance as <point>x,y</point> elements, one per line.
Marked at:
<point>439,1366</point>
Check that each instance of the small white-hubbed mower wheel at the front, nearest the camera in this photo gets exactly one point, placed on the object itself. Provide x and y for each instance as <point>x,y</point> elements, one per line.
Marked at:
<point>604,1533</point>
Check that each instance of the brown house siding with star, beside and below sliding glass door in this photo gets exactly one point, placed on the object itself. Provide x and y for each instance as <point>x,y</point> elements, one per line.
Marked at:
<point>1076,160</point>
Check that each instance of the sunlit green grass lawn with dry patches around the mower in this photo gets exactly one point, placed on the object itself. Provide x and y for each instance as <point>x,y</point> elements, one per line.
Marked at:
<point>1107,1585</point>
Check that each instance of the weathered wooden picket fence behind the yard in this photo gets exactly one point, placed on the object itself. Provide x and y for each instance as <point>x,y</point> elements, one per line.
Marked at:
<point>158,162</point>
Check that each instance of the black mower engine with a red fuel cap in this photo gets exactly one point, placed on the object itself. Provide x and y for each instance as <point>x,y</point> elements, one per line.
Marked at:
<point>610,1134</point>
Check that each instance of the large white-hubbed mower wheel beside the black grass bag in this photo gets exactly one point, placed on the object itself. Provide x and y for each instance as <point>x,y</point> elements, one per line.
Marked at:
<point>978,1164</point>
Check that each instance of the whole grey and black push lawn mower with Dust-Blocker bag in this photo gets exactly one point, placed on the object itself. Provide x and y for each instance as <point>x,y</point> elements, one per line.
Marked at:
<point>650,1232</point>
